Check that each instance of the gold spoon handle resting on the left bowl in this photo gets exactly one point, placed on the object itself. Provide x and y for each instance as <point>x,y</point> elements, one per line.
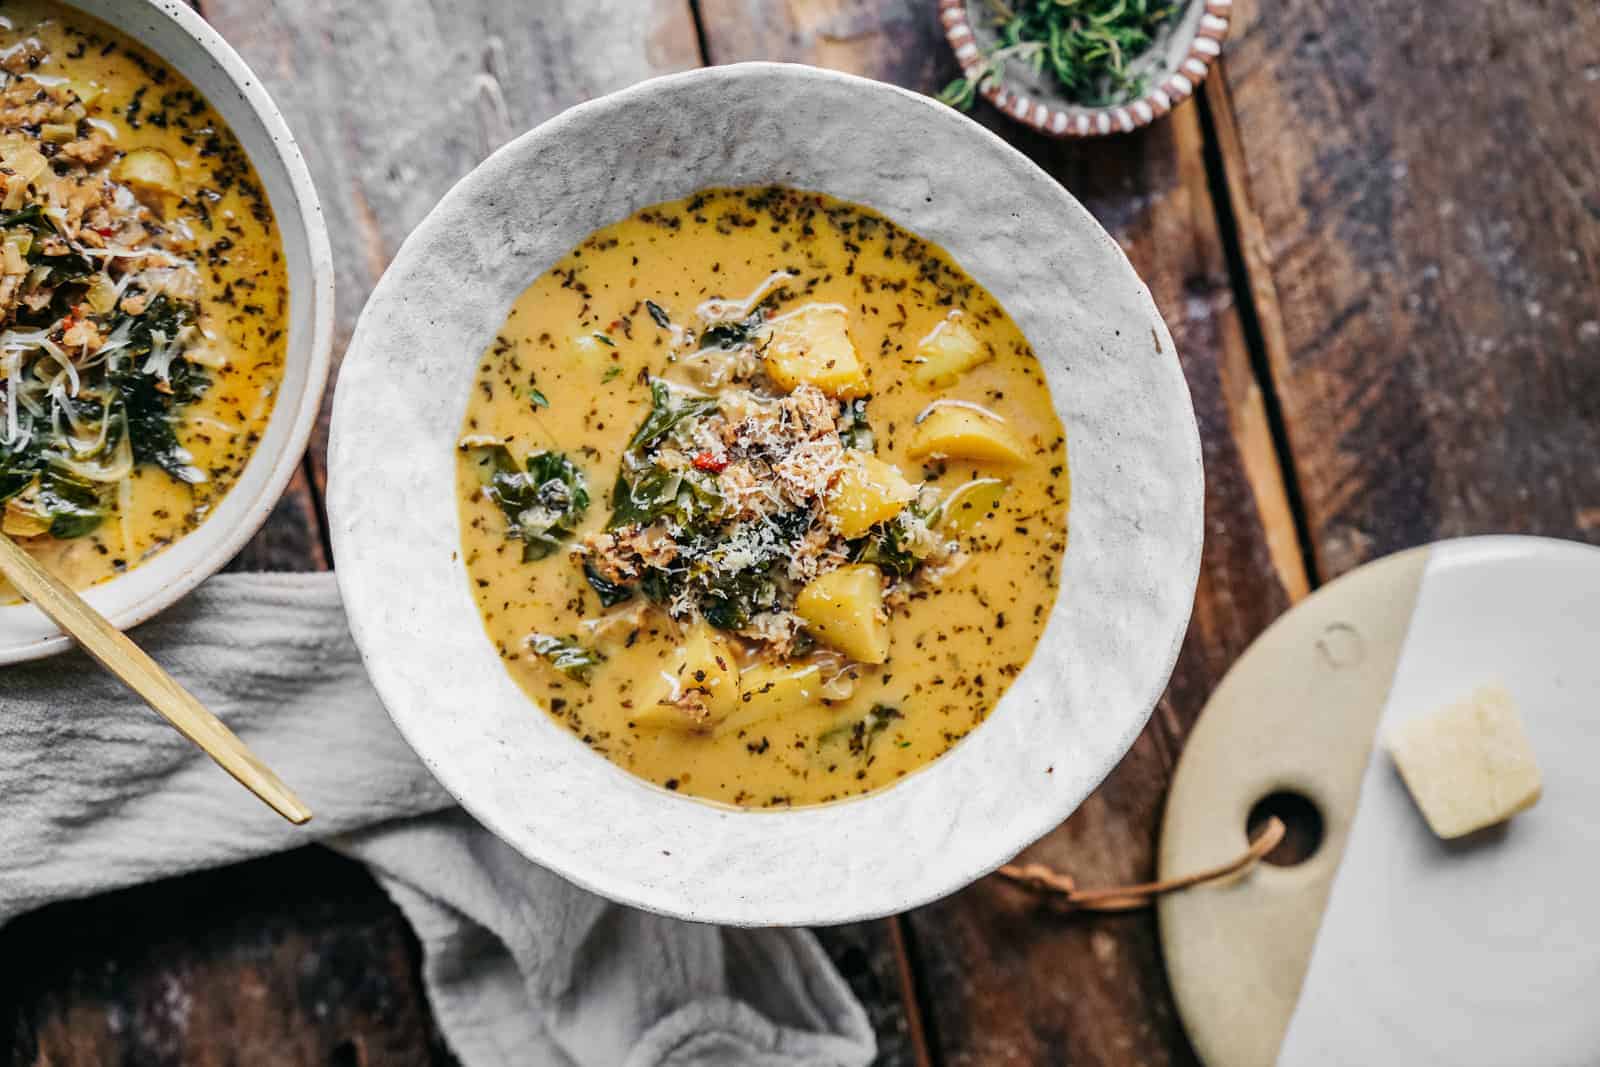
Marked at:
<point>142,674</point>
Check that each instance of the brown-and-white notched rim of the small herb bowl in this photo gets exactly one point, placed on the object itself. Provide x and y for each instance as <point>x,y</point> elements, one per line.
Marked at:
<point>1057,121</point>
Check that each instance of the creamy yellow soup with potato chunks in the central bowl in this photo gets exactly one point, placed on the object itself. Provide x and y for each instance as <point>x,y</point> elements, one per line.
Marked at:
<point>762,497</point>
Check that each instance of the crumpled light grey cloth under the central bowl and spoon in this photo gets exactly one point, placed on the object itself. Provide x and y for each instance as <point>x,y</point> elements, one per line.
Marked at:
<point>522,967</point>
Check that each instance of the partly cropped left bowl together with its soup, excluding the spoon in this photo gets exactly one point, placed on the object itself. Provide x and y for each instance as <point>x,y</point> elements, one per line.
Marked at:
<point>166,305</point>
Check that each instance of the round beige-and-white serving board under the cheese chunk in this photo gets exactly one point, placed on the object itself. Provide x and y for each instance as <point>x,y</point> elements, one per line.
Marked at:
<point>1390,946</point>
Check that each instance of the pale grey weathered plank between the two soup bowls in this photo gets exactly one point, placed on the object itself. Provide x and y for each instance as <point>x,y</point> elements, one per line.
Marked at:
<point>391,110</point>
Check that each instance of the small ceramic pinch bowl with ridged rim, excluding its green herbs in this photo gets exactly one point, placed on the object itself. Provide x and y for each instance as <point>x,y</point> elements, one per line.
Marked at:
<point>1174,70</point>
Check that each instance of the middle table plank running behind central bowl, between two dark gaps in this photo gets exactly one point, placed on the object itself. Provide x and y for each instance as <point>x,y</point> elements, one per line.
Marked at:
<point>1006,980</point>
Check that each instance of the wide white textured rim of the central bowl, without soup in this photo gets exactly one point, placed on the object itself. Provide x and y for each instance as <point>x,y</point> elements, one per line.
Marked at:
<point>1135,518</point>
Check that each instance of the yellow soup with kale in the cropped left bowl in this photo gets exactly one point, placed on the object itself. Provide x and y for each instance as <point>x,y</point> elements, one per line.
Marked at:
<point>140,247</point>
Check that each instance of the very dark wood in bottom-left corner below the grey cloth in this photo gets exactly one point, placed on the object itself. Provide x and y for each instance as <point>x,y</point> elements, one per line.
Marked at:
<point>222,969</point>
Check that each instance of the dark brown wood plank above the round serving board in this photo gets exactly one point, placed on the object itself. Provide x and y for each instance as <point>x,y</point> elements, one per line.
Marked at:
<point>1422,201</point>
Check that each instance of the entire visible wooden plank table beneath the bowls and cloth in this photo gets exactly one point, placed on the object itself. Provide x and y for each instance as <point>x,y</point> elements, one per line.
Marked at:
<point>1377,239</point>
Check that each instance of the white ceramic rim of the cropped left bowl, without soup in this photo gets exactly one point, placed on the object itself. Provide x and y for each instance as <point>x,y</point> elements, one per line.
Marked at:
<point>175,33</point>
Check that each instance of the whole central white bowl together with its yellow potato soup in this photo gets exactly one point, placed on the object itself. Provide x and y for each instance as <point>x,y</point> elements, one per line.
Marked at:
<point>777,535</point>
